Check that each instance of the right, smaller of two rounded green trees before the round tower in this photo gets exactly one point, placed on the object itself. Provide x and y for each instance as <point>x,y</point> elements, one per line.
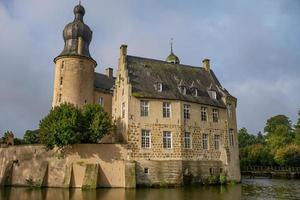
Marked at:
<point>97,123</point>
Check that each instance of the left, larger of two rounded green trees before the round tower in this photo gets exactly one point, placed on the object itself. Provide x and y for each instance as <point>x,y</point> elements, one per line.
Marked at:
<point>62,126</point>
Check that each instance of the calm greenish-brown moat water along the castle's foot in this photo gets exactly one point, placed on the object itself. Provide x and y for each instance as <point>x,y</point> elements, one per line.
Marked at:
<point>250,189</point>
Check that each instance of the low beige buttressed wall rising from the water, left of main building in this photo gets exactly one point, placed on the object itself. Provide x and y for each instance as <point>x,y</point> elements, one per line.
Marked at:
<point>84,165</point>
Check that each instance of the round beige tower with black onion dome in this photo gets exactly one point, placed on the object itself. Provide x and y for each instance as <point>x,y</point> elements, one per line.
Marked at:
<point>74,67</point>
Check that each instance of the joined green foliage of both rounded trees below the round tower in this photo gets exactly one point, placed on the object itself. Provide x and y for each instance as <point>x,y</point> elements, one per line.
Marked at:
<point>66,125</point>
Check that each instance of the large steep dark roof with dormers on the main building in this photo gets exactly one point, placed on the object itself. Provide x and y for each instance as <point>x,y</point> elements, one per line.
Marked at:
<point>144,73</point>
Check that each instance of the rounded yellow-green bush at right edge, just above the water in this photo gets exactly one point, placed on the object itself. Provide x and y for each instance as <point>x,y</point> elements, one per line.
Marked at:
<point>288,156</point>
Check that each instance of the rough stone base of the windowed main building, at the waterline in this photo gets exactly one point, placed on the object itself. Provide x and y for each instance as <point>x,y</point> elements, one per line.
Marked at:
<point>175,172</point>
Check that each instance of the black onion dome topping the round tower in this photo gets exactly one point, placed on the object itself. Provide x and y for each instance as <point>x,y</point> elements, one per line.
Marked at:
<point>75,30</point>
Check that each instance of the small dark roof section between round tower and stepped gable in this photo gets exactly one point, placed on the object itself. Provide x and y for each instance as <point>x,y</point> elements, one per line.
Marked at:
<point>103,83</point>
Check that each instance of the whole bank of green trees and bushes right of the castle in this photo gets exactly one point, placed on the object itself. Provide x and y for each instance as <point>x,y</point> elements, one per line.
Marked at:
<point>280,145</point>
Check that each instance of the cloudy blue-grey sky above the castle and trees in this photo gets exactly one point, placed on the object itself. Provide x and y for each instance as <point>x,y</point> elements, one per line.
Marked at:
<point>254,47</point>
